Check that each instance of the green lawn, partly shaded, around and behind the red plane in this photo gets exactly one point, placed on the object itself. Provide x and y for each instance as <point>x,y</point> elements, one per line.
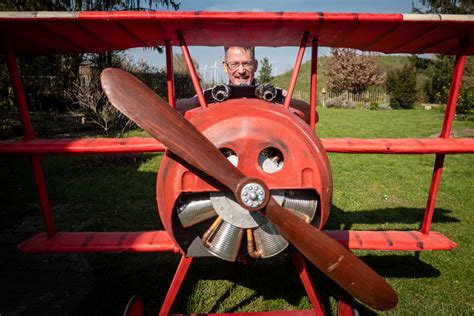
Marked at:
<point>370,192</point>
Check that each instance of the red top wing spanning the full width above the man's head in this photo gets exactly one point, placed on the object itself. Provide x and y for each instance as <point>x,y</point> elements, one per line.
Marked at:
<point>52,32</point>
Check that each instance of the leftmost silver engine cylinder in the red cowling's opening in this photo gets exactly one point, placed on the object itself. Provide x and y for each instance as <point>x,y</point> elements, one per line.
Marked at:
<point>193,209</point>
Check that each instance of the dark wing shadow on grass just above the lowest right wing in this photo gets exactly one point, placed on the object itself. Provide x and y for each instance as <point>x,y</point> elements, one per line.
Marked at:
<point>340,219</point>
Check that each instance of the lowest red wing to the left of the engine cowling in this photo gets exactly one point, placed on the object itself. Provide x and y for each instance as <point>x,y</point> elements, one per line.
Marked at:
<point>146,241</point>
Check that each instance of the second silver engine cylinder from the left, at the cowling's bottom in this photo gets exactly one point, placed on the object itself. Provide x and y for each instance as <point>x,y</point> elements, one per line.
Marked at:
<point>225,241</point>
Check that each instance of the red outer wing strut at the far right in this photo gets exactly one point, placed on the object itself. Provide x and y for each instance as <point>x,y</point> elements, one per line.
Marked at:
<point>445,133</point>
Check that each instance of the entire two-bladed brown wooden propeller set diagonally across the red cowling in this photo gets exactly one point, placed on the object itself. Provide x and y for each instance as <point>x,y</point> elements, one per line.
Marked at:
<point>134,99</point>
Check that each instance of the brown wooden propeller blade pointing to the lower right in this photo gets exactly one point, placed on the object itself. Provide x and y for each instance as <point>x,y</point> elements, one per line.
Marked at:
<point>333,259</point>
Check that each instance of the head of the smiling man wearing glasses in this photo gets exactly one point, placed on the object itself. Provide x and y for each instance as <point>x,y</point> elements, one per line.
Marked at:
<point>240,64</point>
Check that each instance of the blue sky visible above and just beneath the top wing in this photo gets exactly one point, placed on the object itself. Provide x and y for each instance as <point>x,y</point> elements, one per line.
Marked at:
<point>210,59</point>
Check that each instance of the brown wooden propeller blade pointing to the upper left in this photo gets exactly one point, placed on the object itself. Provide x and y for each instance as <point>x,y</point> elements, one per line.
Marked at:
<point>140,104</point>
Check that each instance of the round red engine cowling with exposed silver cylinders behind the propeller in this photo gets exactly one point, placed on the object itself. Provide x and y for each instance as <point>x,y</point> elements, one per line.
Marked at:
<point>264,141</point>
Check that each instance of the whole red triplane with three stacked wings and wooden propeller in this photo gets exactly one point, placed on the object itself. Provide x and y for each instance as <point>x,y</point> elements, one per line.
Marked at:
<point>275,187</point>
